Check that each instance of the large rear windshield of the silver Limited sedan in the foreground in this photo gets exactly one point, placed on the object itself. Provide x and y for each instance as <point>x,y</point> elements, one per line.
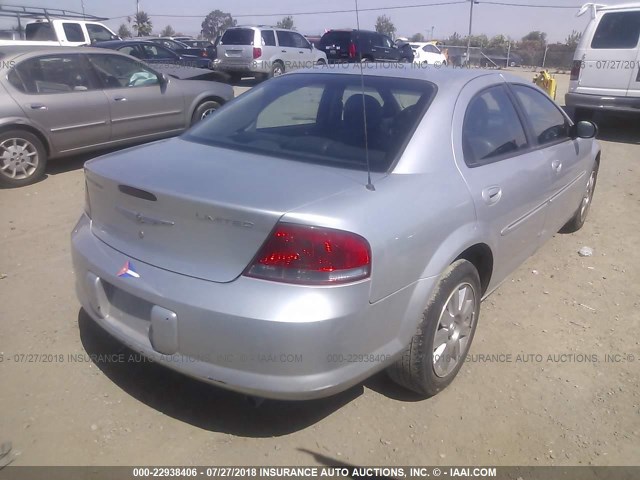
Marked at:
<point>319,118</point>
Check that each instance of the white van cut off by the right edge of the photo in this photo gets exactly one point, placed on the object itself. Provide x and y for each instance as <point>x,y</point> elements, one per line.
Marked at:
<point>606,73</point>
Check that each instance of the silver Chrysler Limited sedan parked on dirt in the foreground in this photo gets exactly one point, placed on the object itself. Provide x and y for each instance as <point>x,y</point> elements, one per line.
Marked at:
<point>268,262</point>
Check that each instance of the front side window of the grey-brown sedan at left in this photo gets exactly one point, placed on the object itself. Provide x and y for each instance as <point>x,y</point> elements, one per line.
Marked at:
<point>116,71</point>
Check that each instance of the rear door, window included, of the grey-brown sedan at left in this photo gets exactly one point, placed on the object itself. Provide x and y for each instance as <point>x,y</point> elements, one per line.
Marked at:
<point>60,94</point>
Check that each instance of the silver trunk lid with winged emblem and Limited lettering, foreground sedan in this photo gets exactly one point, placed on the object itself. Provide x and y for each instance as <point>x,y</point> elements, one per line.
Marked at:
<point>207,217</point>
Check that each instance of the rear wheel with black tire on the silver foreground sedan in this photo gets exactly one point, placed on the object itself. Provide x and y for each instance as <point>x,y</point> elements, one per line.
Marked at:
<point>415,368</point>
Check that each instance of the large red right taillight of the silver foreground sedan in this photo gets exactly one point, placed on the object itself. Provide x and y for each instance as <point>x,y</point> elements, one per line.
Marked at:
<point>312,255</point>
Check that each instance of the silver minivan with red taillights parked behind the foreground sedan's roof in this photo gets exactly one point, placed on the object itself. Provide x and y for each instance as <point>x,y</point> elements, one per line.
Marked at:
<point>264,52</point>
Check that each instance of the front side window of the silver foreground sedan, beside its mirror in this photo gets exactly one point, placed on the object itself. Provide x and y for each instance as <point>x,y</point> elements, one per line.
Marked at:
<point>548,124</point>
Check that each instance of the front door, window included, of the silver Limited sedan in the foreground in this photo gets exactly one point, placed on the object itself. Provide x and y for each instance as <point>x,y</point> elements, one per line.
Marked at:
<point>568,160</point>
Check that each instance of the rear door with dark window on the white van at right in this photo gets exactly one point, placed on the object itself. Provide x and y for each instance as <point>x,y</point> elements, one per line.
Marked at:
<point>609,62</point>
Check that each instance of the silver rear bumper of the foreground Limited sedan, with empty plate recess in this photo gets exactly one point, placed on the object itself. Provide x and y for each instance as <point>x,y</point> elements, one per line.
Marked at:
<point>256,337</point>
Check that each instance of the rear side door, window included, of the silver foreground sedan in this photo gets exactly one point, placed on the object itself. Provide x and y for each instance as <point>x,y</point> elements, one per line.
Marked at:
<point>507,179</point>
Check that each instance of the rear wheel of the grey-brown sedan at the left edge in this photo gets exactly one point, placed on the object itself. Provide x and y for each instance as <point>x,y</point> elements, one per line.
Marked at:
<point>34,152</point>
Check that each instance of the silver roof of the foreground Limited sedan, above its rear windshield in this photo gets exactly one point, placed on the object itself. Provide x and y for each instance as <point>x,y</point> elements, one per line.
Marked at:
<point>444,77</point>
